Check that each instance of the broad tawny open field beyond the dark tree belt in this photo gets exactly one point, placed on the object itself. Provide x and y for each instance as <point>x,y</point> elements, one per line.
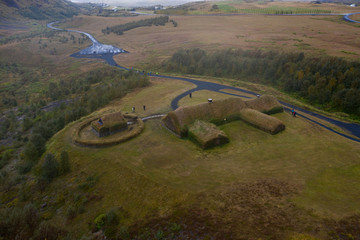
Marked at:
<point>149,46</point>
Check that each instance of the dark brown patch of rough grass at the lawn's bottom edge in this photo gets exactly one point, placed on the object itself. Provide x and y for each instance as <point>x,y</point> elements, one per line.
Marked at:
<point>254,210</point>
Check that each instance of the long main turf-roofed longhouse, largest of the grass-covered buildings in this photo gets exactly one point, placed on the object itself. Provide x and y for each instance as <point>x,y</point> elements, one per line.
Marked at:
<point>218,112</point>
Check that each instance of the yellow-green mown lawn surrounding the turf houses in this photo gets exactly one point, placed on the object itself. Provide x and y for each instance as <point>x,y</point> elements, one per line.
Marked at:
<point>147,175</point>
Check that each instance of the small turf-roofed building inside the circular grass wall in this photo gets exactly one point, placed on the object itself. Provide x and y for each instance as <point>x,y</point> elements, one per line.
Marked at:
<point>109,124</point>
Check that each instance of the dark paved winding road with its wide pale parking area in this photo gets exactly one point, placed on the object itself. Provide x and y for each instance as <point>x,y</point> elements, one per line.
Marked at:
<point>352,128</point>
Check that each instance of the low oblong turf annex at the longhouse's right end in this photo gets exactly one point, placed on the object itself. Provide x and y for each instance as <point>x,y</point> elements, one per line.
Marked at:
<point>262,121</point>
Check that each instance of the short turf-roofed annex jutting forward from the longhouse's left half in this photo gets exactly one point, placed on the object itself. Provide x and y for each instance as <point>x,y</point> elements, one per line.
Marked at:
<point>207,135</point>
